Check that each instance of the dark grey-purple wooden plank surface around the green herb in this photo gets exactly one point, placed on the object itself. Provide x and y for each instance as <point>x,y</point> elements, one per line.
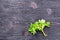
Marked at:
<point>16,15</point>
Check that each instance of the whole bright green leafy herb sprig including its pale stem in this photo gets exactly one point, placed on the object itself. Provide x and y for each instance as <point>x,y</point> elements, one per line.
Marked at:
<point>39,25</point>
